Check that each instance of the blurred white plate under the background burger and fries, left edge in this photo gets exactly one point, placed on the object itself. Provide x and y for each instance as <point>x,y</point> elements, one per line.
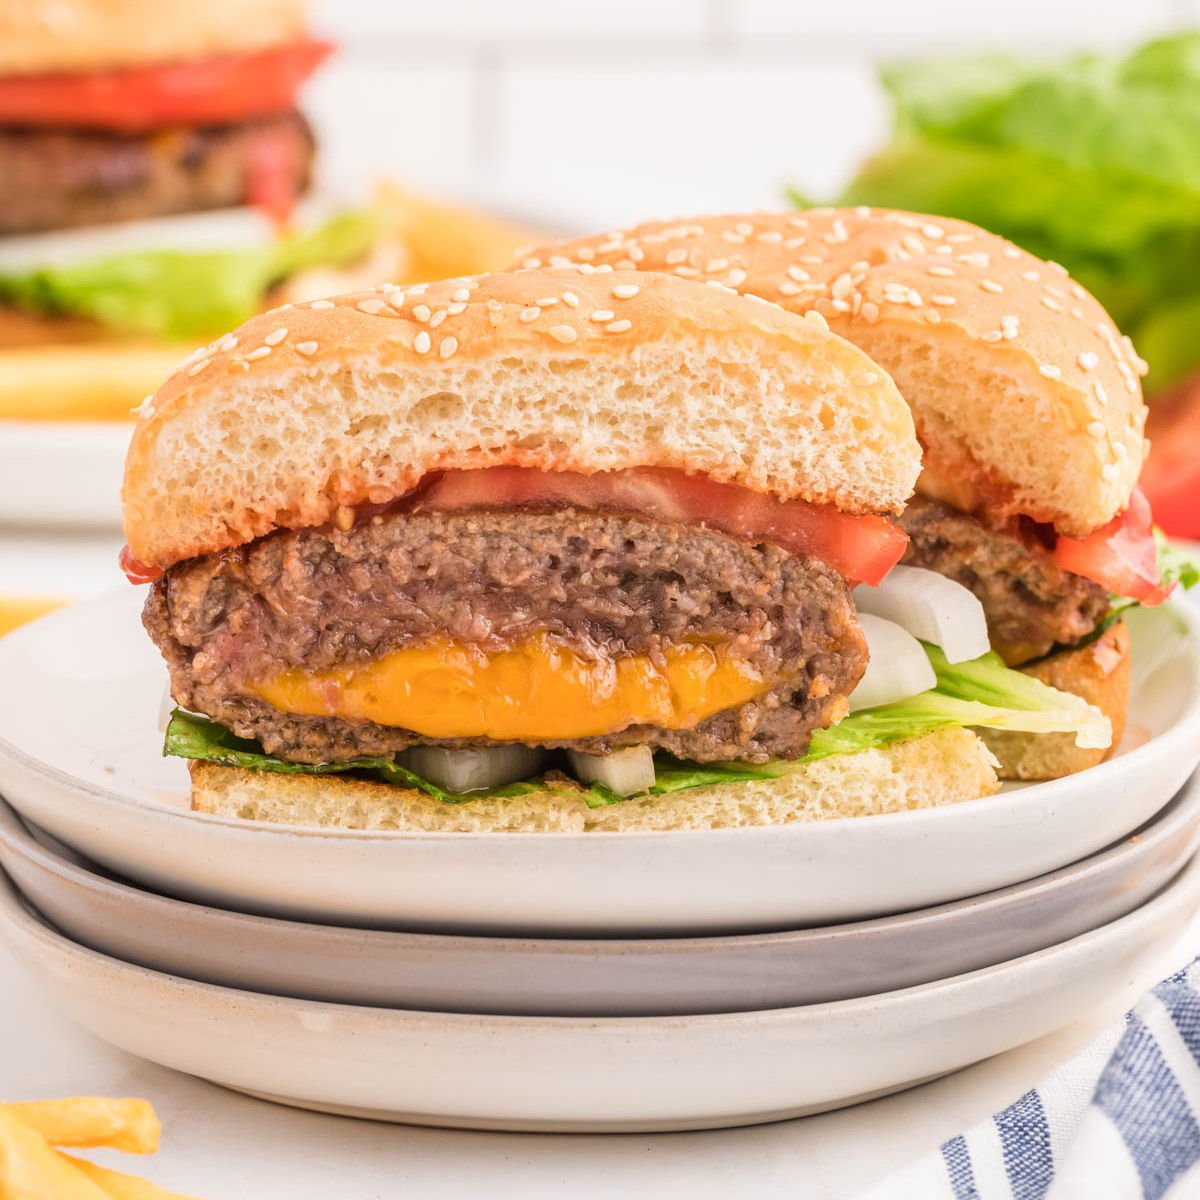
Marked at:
<point>63,473</point>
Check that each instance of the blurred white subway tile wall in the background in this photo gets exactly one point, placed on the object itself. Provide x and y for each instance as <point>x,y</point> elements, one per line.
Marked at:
<point>581,116</point>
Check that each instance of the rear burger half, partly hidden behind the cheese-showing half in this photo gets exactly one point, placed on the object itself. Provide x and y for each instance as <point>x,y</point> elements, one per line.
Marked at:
<point>1028,406</point>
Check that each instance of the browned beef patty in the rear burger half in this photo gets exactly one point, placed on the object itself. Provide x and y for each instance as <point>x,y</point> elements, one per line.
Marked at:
<point>1033,604</point>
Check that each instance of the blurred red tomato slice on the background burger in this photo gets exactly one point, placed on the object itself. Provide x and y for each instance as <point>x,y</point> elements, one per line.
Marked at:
<point>135,100</point>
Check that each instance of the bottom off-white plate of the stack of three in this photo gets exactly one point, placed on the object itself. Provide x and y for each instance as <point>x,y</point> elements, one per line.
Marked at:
<point>593,1075</point>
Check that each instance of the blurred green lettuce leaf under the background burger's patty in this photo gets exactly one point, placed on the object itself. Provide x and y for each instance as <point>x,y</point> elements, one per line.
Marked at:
<point>177,295</point>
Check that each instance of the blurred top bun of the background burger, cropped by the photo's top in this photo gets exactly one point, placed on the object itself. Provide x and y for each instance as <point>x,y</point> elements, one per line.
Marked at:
<point>95,35</point>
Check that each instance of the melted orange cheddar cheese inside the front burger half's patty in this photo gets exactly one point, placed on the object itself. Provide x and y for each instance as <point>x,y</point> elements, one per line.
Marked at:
<point>539,691</point>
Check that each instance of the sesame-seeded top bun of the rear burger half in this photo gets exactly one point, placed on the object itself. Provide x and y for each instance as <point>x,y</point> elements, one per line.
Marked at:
<point>1027,398</point>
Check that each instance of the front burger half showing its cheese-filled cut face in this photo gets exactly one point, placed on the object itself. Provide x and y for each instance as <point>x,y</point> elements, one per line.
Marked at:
<point>550,550</point>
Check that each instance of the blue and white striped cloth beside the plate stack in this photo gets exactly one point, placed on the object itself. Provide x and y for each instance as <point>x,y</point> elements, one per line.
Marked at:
<point>1120,1121</point>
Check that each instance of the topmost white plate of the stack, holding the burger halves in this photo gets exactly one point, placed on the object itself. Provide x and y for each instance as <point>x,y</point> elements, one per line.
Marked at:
<point>80,757</point>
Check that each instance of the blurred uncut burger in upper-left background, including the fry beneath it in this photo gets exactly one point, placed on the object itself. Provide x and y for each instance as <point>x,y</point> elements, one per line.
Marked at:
<point>153,159</point>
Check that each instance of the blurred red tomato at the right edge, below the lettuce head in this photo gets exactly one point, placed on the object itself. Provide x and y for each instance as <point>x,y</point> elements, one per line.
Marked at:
<point>1172,477</point>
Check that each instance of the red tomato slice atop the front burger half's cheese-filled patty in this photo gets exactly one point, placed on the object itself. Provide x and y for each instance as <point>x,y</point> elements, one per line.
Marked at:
<point>863,549</point>
